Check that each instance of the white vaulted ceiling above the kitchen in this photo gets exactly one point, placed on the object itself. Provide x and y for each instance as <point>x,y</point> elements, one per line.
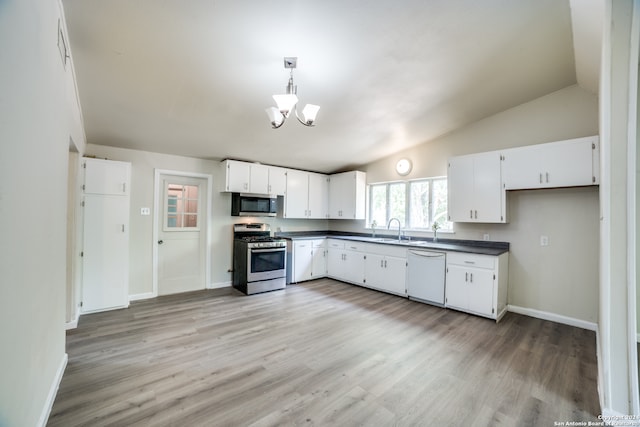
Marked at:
<point>193,77</point>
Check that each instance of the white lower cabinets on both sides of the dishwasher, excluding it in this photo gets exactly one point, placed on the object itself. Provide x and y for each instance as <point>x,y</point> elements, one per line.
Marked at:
<point>475,283</point>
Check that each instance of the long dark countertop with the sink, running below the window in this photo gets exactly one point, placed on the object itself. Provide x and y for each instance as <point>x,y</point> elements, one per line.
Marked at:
<point>454,245</point>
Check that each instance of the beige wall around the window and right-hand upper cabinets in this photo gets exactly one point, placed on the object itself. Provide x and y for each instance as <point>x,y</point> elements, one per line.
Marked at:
<point>561,278</point>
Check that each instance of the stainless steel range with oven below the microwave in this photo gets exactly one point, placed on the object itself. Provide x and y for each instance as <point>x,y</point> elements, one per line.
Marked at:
<point>259,260</point>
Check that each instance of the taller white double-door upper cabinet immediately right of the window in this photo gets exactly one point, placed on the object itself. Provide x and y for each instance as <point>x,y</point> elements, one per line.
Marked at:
<point>475,189</point>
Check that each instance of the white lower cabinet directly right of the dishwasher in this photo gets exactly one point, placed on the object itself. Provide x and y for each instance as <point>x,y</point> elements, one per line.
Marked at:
<point>477,283</point>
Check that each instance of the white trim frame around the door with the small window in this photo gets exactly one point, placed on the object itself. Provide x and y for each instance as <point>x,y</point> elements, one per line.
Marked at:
<point>156,207</point>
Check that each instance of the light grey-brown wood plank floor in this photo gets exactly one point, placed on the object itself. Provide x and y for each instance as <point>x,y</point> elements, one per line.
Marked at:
<point>321,353</point>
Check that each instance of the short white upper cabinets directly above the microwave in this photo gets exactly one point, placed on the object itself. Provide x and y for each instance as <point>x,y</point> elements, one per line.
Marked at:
<point>245,177</point>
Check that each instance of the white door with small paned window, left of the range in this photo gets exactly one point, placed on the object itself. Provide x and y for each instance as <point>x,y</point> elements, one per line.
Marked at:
<point>182,228</point>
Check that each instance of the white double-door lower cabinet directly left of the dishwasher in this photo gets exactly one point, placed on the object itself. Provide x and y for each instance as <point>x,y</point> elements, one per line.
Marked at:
<point>386,270</point>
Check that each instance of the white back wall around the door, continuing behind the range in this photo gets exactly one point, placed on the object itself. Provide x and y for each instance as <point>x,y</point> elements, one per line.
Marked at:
<point>141,232</point>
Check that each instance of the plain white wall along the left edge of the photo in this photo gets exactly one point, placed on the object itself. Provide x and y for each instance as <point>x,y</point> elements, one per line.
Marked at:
<point>35,133</point>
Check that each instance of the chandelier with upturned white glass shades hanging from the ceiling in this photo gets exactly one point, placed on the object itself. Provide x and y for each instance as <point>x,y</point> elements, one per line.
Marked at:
<point>289,100</point>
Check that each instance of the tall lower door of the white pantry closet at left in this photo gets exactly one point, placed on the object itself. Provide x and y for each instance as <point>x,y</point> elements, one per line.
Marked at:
<point>106,253</point>
